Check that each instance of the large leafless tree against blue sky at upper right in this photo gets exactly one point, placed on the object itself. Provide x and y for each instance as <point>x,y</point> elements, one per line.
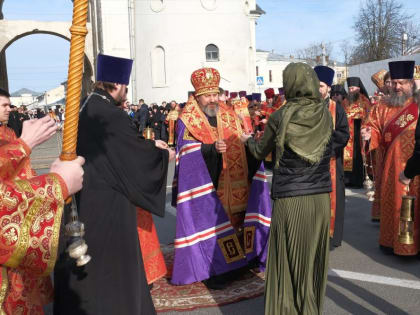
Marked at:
<point>379,27</point>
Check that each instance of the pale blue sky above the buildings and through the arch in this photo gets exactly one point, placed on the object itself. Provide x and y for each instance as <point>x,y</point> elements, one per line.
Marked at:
<point>39,62</point>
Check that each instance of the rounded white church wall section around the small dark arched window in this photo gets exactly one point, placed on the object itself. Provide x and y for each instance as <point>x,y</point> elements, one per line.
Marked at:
<point>171,38</point>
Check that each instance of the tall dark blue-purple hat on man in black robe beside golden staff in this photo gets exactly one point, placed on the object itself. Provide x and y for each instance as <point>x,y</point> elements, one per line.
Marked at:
<point>113,69</point>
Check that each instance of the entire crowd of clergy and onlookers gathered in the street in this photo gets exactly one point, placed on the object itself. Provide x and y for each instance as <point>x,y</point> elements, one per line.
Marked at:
<point>316,136</point>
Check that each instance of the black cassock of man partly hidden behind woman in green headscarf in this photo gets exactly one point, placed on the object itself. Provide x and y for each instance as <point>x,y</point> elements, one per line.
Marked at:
<point>340,137</point>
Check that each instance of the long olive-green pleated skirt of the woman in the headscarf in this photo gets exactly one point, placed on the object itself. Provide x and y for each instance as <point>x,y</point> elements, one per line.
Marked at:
<point>297,264</point>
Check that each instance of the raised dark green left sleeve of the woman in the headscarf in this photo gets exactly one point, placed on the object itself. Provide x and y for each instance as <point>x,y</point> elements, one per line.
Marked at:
<point>266,144</point>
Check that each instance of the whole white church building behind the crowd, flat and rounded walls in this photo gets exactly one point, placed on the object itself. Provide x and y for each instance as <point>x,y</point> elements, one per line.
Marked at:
<point>170,39</point>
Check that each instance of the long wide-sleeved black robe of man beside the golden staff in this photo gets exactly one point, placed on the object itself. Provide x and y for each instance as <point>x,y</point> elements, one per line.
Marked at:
<point>122,171</point>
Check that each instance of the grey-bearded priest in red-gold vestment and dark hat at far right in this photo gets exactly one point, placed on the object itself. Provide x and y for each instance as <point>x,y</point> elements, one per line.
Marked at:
<point>391,128</point>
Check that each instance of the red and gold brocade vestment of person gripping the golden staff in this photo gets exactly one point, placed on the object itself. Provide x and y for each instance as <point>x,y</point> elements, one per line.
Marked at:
<point>30,216</point>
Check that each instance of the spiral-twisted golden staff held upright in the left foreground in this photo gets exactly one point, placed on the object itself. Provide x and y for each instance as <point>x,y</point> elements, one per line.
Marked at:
<point>78,32</point>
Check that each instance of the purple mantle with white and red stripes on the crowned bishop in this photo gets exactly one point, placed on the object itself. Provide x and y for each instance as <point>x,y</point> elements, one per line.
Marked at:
<point>206,243</point>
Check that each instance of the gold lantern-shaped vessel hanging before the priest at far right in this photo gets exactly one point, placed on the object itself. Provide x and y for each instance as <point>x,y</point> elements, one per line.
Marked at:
<point>406,228</point>
